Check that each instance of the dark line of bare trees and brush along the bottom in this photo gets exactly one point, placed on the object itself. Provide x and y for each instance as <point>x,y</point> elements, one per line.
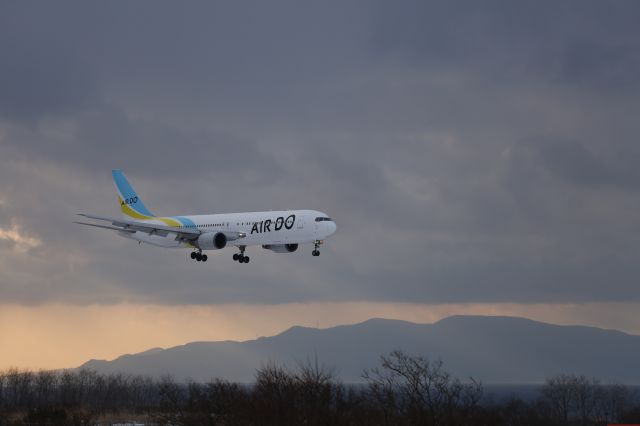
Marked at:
<point>401,390</point>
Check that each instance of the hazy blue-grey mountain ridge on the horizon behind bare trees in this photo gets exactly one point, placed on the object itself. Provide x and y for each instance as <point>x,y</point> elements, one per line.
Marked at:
<point>493,349</point>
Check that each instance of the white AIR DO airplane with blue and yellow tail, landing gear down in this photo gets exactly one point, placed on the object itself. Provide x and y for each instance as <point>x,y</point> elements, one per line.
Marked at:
<point>278,231</point>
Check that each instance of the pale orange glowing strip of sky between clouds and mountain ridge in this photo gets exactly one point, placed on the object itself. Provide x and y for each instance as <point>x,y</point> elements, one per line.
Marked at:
<point>61,336</point>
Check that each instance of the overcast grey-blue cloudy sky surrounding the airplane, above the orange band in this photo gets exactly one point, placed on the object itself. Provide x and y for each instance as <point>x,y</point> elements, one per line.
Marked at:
<point>479,153</point>
